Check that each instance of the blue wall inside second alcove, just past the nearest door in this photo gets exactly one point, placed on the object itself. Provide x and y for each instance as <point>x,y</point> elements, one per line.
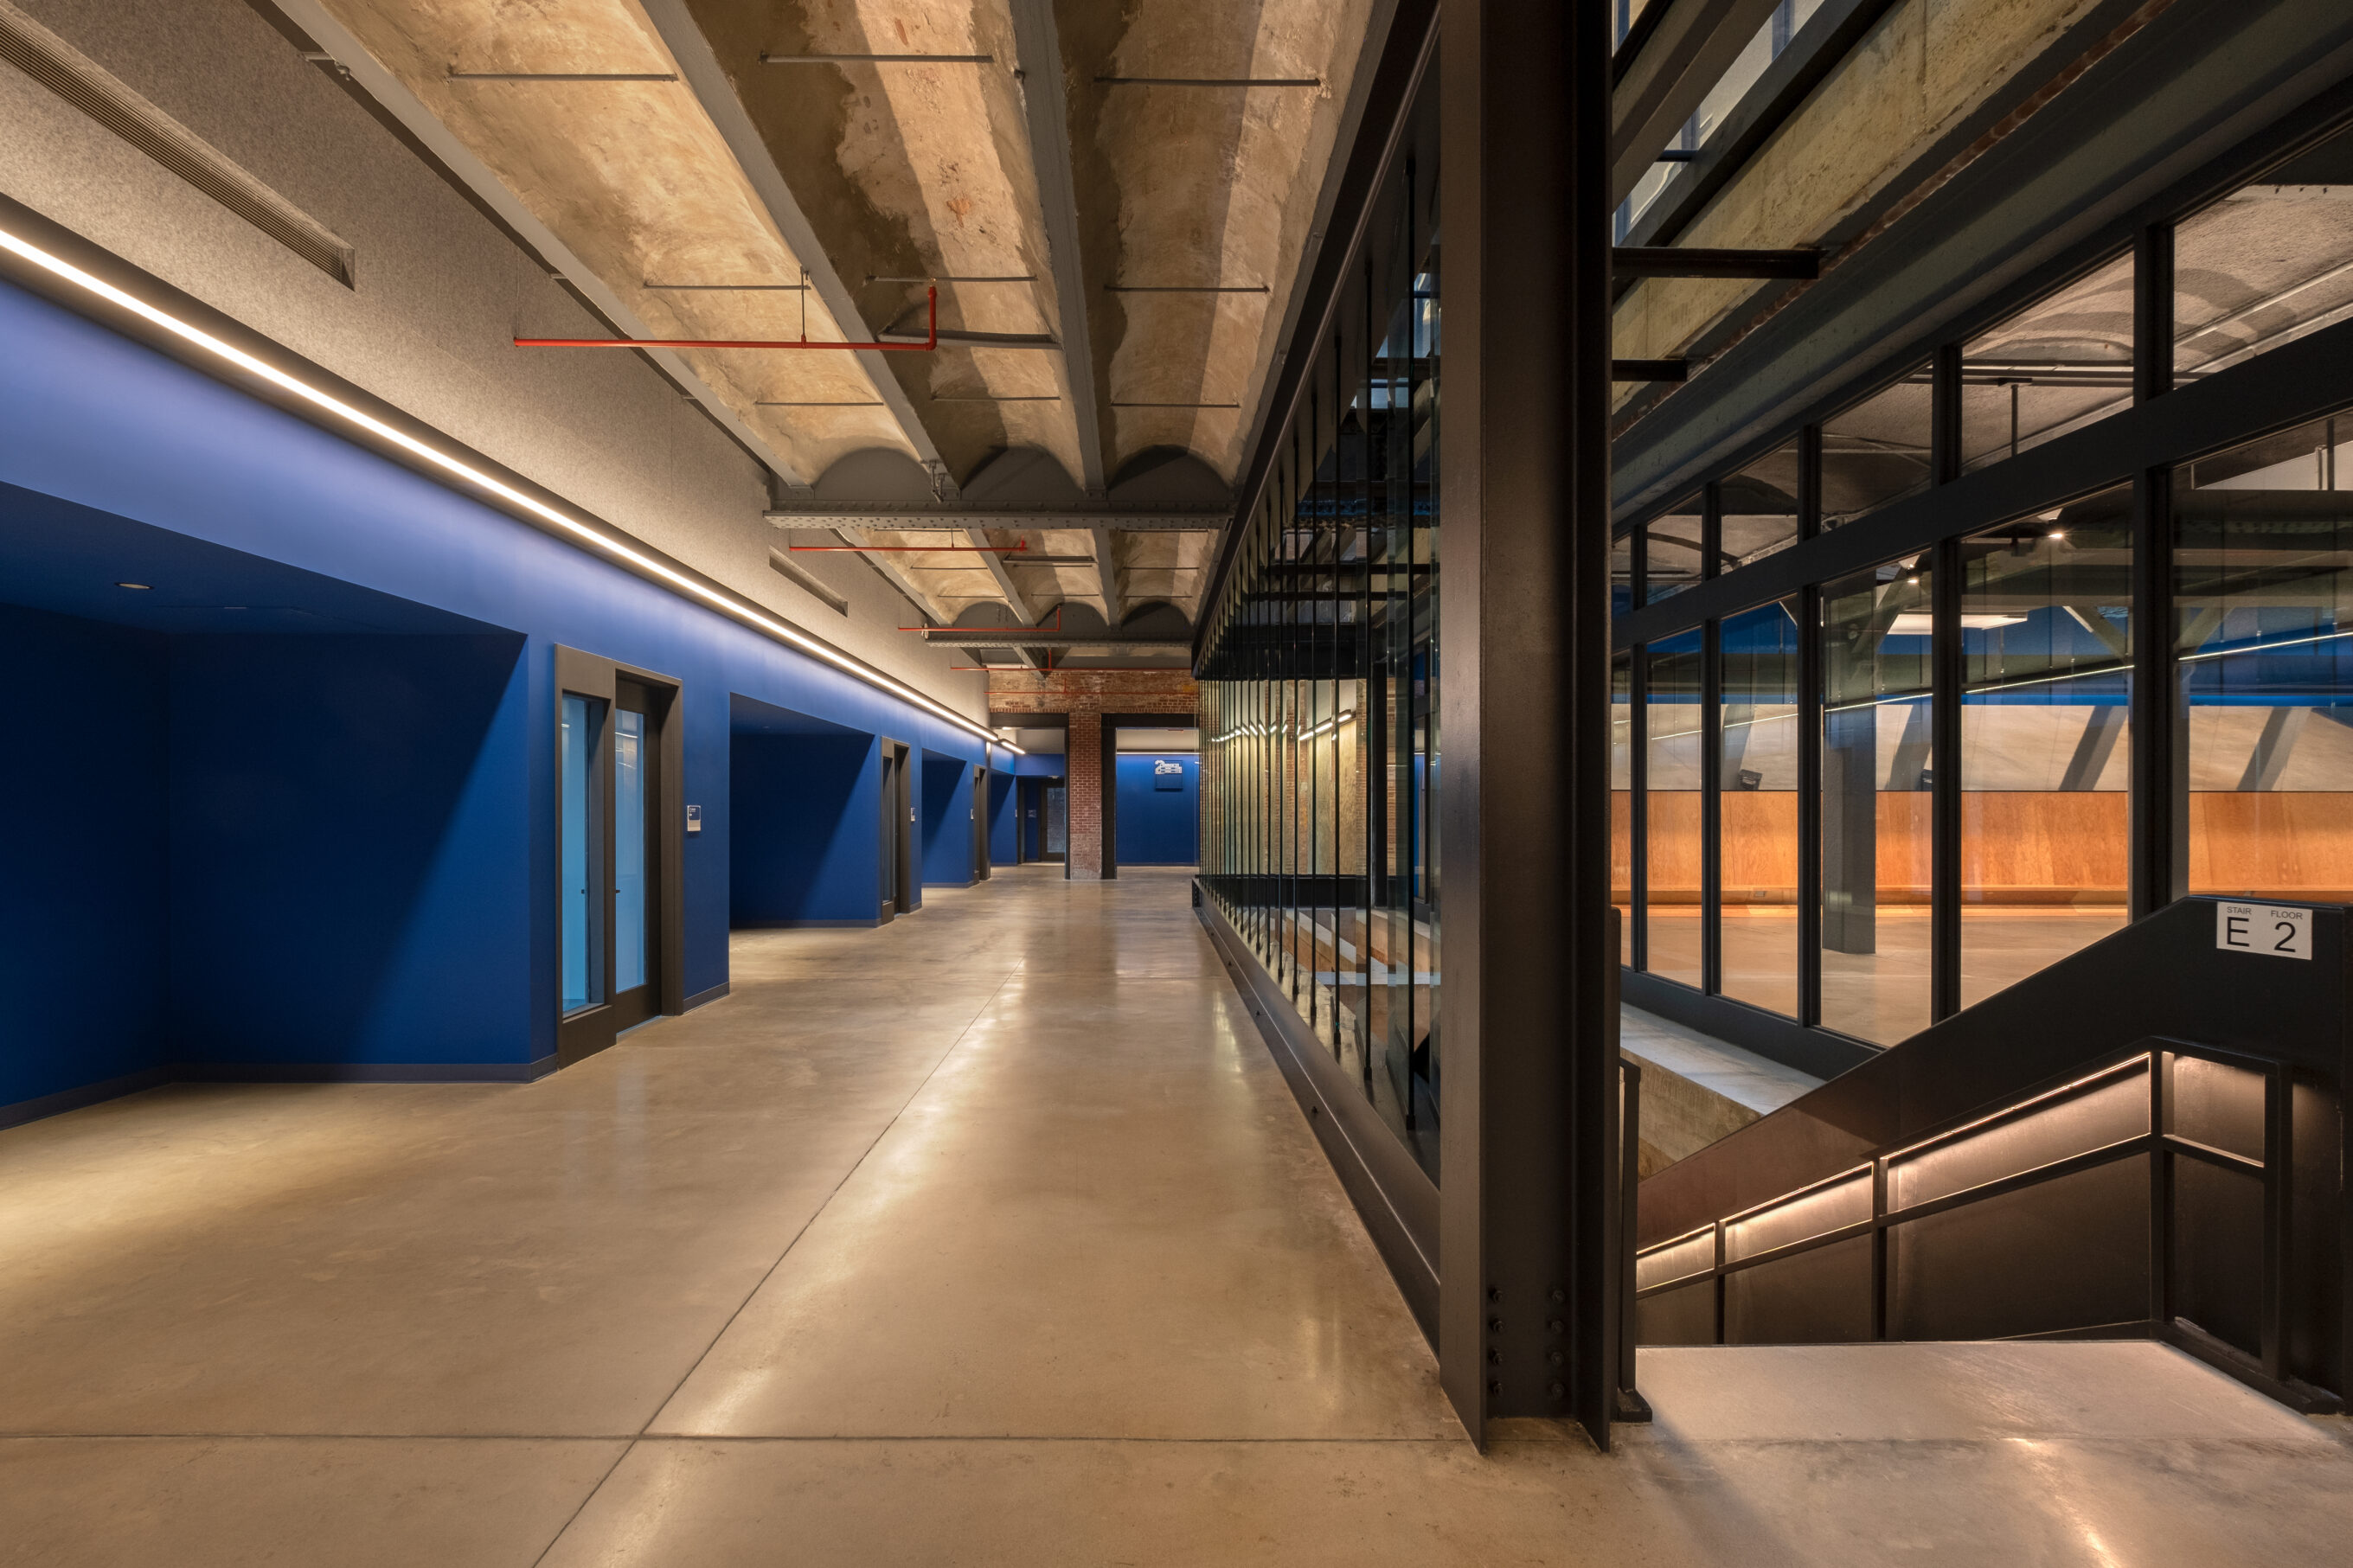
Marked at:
<point>806,831</point>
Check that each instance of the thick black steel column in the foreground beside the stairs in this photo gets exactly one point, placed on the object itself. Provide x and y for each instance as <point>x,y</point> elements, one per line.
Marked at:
<point>1528,1188</point>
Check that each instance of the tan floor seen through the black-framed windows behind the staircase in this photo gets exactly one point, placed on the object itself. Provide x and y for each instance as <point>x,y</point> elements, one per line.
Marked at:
<point>1877,996</point>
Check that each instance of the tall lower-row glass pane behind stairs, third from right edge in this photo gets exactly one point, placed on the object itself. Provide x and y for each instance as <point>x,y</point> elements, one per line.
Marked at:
<point>1877,826</point>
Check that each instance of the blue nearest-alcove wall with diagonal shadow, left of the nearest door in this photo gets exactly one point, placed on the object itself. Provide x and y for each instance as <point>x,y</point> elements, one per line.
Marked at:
<point>352,829</point>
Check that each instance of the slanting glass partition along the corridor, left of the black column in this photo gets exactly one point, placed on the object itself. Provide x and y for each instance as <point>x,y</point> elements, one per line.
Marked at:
<point>1321,683</point>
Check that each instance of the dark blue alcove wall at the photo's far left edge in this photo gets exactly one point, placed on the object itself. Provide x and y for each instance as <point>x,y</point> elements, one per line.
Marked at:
<point>84,927</point>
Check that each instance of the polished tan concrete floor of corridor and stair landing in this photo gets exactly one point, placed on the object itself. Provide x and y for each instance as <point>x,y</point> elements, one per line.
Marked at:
<point>987,1238</point>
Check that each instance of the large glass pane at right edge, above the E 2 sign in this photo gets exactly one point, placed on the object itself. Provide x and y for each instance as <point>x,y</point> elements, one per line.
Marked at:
<point>2265,605</point>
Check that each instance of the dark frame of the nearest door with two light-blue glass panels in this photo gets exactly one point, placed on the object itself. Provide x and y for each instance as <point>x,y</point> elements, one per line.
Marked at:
<point>592,1028</point>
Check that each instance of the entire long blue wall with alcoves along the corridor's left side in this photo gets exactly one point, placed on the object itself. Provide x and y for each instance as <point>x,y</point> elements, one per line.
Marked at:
<point>246,789</point>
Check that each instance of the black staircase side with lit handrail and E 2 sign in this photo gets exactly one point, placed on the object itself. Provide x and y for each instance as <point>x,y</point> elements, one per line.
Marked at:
<point>2142,1141</point>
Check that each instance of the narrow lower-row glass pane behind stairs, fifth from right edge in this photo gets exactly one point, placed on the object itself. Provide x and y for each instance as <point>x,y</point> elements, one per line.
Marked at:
<point>1672,845</point>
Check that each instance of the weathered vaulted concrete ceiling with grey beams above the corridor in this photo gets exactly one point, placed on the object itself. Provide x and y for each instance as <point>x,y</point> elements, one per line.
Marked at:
<point>1114,255</point>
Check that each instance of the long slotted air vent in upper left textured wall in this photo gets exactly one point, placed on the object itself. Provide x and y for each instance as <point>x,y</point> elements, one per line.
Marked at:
<point>79,81</point>
